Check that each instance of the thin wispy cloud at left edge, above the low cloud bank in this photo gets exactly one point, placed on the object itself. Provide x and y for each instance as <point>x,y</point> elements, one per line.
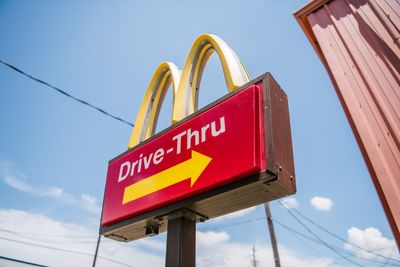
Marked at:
<point>18,182</point>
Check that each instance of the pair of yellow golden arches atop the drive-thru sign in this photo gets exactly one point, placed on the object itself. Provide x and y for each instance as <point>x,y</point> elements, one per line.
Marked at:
<point>185,84</point>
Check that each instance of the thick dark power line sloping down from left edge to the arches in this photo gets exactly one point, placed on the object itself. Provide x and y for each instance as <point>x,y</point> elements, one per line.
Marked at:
<point>64,93</point>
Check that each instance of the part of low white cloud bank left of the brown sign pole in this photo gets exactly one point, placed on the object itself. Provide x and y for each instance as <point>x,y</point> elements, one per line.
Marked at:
<point>42,230</point>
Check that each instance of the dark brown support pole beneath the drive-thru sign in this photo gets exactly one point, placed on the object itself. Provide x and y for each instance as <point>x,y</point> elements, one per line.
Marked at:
<point>181,241</point>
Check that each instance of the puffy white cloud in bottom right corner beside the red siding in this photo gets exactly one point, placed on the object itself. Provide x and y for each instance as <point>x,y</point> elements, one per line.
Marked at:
<point>371,239</point>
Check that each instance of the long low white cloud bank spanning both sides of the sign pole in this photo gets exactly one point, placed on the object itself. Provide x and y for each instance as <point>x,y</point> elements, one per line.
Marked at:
<point>214,248</point>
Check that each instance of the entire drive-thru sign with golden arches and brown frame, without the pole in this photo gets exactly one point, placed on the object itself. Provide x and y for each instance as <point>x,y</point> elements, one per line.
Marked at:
<point>232,154</point>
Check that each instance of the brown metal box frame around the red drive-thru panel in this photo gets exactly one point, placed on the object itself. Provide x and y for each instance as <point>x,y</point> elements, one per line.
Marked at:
<point>277,181</point>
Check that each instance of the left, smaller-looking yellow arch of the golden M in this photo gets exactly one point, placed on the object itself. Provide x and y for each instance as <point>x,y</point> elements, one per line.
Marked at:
<point>165,74</point>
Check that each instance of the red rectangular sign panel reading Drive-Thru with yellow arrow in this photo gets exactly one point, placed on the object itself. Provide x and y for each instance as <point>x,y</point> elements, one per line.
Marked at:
<point>218,146</point>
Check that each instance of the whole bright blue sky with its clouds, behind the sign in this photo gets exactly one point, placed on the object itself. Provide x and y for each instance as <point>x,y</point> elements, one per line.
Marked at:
<point>54,151</point>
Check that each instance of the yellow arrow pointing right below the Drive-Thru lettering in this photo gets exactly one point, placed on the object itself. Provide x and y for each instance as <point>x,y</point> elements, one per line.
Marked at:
<point>191,168</point>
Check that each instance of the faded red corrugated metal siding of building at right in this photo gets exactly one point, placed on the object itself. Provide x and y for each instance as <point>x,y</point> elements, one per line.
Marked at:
<point>358,41</point>
